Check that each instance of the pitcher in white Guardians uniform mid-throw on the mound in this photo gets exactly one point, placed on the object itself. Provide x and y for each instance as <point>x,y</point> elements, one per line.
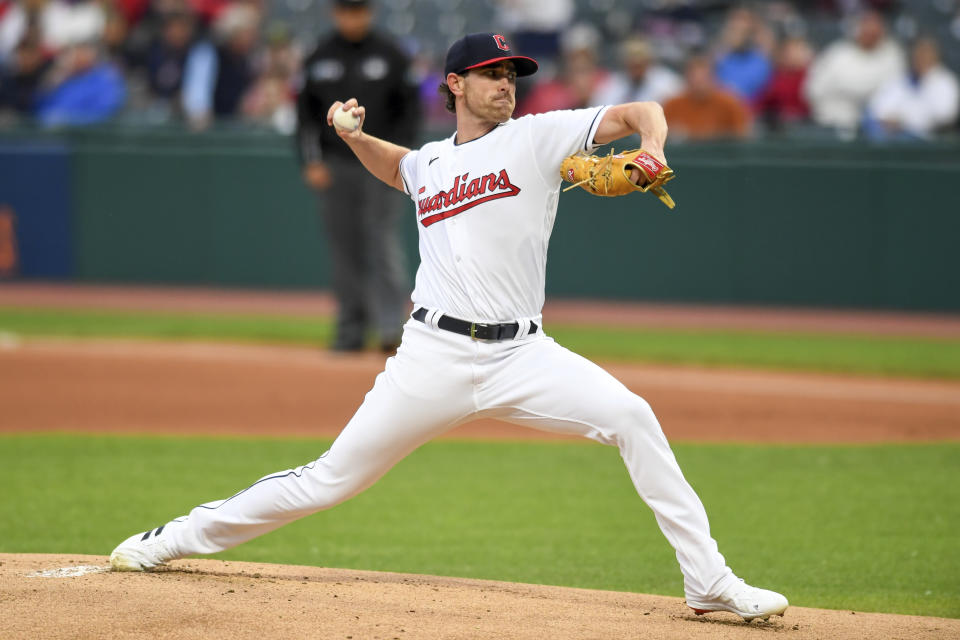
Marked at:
<point>485,200</point>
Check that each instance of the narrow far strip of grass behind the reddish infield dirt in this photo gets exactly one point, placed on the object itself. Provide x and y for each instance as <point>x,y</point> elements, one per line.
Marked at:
<point>853,354</point>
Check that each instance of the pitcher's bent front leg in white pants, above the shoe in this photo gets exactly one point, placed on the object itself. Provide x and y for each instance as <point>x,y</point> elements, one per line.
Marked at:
<point>545,386</point>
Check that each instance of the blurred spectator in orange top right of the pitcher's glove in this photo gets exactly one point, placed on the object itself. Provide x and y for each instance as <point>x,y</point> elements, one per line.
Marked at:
<point>705,110</point>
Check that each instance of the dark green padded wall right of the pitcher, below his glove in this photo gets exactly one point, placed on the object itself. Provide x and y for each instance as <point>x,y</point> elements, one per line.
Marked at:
<point>816,226</point>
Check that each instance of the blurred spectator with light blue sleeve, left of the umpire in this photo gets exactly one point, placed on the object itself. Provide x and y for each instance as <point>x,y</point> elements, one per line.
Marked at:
<point>216,77</point>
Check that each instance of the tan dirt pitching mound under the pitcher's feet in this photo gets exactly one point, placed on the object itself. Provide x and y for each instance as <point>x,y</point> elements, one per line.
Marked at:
<point>61,596</point>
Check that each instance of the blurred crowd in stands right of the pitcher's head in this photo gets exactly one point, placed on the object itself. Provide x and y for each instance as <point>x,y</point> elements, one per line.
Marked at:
<point>759,73</point>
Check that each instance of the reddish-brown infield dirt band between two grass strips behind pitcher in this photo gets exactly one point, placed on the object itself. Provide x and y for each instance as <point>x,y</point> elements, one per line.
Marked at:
<point>195,388</point>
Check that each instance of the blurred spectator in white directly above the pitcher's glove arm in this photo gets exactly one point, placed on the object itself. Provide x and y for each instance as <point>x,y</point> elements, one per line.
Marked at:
<point>641,80</point>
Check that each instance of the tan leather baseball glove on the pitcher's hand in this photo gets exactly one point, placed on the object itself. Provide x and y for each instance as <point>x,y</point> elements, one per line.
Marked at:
<point>611,175</point>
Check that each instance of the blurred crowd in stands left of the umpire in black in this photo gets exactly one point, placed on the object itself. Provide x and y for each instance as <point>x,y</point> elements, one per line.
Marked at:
<point>76,62</point>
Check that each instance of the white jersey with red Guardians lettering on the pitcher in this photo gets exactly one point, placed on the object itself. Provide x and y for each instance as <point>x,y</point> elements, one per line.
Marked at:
<point>485,212</point>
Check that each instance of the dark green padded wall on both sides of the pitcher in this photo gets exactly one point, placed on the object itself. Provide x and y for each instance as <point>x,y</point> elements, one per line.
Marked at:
<point>776,223</point>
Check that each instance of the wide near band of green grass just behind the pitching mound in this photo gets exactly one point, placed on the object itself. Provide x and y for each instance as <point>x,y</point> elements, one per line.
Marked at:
<point>871,528</point>
